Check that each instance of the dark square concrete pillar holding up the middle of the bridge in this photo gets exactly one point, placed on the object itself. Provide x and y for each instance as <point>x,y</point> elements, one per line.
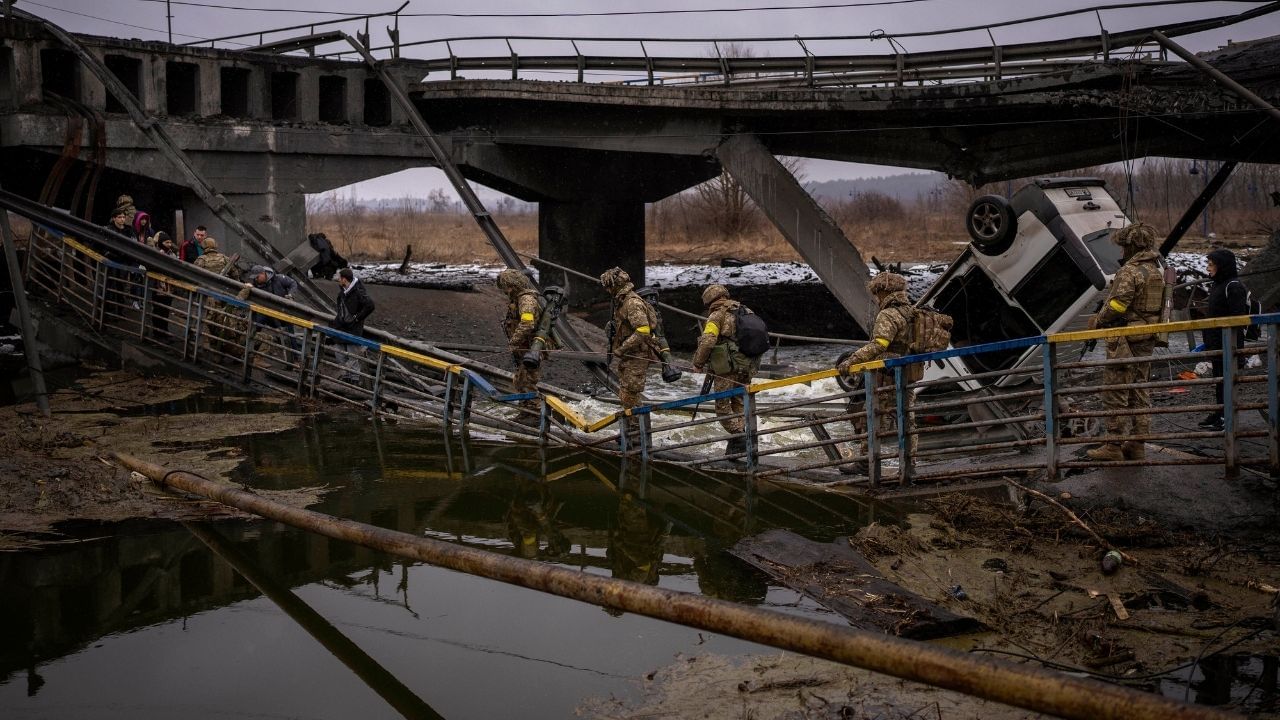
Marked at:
<point>591,238</point>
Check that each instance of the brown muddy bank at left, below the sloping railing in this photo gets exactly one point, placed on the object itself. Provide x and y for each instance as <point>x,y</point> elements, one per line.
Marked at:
<point>56,471</point>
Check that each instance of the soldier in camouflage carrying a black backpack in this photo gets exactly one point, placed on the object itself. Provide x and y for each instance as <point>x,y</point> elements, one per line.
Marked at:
<point>730,367</point>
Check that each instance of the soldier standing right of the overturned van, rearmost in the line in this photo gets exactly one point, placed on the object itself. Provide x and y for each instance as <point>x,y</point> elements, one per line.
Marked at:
<point>1136,299</point>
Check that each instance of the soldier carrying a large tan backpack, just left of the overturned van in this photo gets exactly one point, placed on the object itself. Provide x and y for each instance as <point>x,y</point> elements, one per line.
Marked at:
<point>892,336</point>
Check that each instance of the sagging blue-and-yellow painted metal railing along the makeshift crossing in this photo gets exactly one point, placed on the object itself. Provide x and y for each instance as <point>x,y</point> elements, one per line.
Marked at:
<point>922,431</point>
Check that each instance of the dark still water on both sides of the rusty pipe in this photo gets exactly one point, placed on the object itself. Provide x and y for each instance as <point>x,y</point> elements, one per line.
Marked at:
<point>262,621</point>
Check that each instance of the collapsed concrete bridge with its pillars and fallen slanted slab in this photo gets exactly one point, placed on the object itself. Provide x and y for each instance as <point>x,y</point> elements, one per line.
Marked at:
<point>268,129</point>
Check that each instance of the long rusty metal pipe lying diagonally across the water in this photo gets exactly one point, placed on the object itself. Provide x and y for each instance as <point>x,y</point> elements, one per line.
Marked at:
<point>1021,686</point>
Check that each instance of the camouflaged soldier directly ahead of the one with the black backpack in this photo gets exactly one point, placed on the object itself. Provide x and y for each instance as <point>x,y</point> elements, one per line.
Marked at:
<point>633,338</point>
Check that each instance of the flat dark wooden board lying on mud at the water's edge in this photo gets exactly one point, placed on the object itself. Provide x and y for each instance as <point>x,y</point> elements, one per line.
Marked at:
<point>840,578</point>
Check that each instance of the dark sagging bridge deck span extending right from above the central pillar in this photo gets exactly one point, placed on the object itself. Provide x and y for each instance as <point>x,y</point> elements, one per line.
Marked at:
<point>980,133</point>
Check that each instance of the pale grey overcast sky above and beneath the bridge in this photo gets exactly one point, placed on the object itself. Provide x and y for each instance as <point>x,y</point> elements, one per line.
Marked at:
<point>199,20</point>
